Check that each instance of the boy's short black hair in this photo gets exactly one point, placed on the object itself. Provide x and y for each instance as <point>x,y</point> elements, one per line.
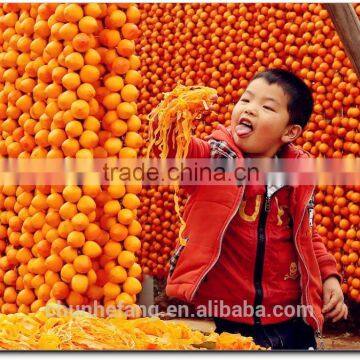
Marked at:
<point>301,103</point>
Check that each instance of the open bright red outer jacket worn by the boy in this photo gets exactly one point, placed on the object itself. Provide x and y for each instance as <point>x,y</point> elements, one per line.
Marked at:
<point>208,214</point>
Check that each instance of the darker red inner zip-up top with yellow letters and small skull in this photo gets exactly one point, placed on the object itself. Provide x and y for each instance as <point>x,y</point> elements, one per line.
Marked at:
<point>241,278</point>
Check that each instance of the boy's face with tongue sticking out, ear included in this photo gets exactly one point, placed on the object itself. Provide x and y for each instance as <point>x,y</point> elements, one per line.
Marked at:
<point>259,121</point>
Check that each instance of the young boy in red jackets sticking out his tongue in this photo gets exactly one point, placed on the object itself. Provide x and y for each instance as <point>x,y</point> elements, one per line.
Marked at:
<point>255,245</point>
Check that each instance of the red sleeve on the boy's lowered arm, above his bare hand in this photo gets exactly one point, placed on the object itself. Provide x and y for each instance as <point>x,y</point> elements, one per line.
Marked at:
<point>326,261</point>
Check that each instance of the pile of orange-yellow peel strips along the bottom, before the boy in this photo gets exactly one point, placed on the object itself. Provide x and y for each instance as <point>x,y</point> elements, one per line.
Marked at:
<point>82,331</point>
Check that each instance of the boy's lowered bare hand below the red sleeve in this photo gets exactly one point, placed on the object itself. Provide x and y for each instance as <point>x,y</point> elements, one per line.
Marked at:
<point>334,307</point>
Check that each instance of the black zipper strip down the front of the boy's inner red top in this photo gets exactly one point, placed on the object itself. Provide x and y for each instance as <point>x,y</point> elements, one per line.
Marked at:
<point>260,254</point>
